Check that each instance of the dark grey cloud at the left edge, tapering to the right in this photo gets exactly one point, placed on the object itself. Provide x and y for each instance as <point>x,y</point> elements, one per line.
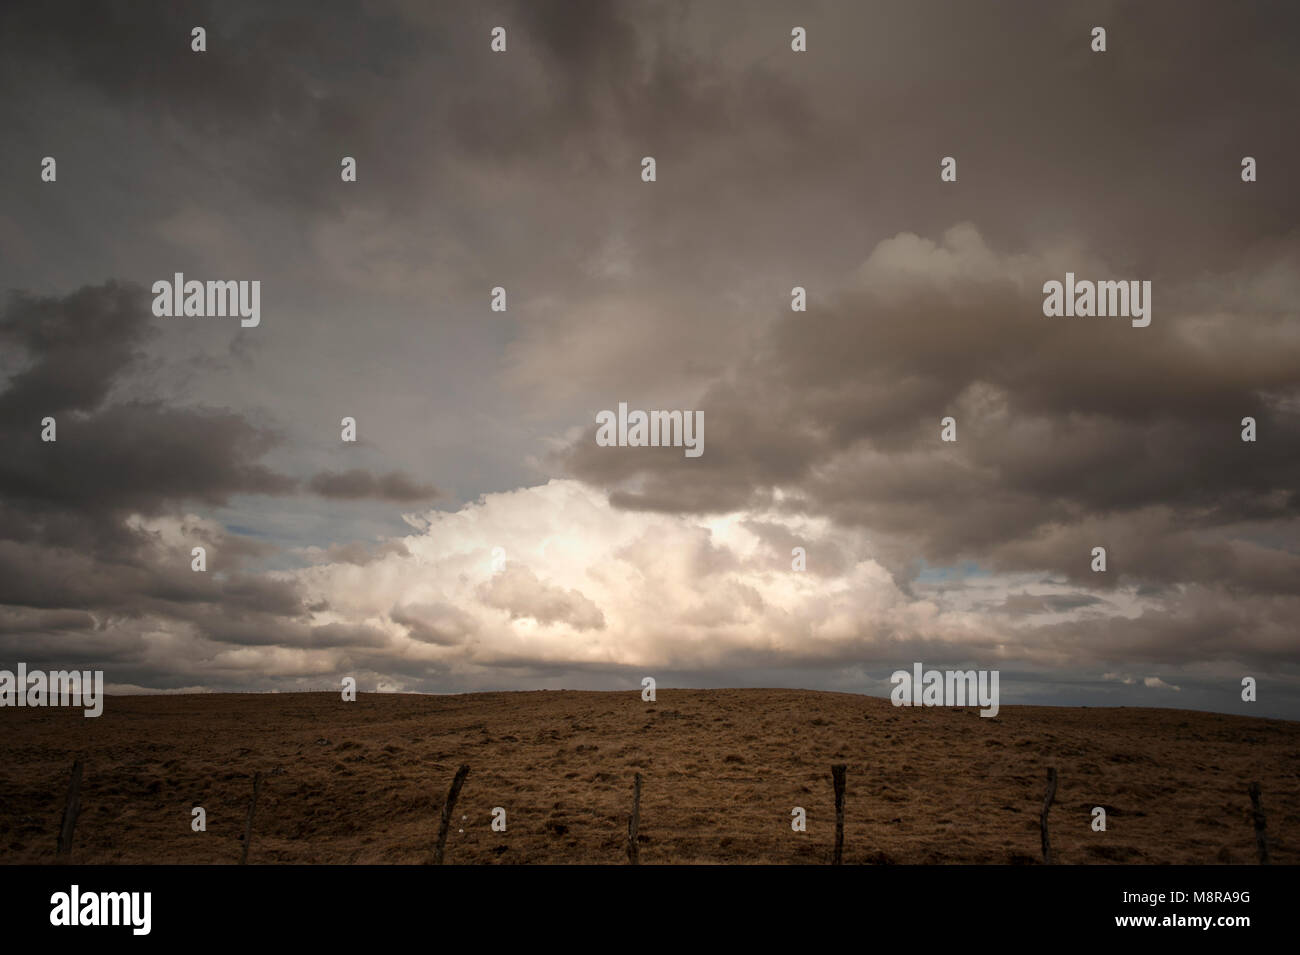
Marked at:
<point>110,459</point>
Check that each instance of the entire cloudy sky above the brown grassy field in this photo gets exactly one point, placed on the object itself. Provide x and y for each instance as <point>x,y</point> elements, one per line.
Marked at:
<point>478,536</point>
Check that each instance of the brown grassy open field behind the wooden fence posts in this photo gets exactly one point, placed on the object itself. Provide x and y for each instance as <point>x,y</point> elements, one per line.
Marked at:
<point>365,782</point>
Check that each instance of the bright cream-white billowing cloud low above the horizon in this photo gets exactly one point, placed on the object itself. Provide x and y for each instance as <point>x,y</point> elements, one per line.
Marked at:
<point>579,583</point>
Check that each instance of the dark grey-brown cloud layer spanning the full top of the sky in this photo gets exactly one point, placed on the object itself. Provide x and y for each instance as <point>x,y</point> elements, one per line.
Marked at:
<point>757,145</point>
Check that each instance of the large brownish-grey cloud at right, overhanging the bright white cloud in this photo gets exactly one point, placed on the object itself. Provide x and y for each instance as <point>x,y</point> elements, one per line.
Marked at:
<point>1061,423</point>
